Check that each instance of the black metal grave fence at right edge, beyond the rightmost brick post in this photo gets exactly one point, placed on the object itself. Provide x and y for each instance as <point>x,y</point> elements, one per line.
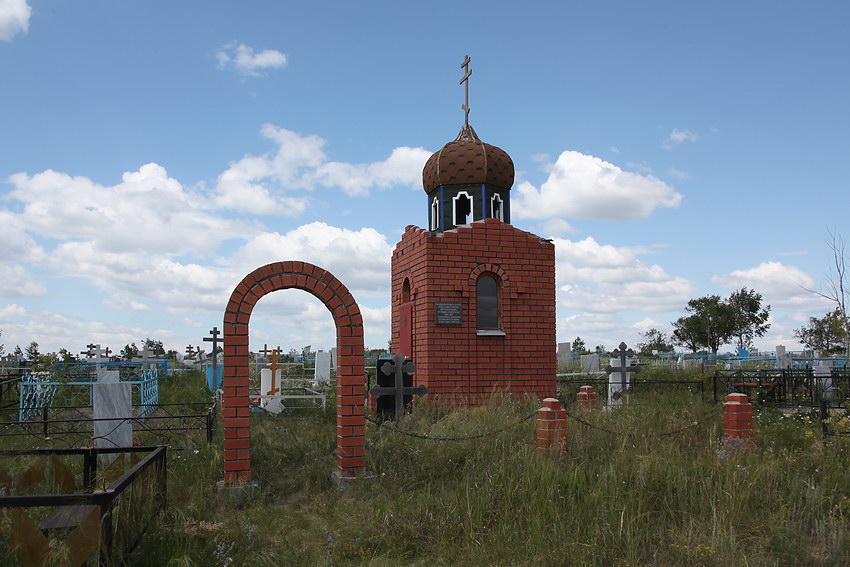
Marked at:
<point>784,388</point>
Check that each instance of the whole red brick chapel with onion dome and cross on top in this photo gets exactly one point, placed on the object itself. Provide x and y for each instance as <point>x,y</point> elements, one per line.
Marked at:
<point>473,297</point>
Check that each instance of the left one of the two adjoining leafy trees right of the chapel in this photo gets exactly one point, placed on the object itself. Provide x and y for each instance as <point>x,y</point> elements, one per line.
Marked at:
<point>711,324</point>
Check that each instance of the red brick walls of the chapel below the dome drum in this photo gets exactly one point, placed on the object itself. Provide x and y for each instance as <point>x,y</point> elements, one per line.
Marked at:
<point>453,361</point>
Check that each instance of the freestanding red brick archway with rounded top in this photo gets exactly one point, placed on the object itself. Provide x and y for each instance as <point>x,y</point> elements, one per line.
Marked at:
<point>350,413</point>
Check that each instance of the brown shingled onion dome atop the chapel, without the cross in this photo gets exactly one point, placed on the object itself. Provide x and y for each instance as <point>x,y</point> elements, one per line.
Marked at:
<point>466,161</point>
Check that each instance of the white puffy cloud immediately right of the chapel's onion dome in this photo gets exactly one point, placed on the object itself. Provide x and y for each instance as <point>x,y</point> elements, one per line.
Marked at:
<point>582,186</point>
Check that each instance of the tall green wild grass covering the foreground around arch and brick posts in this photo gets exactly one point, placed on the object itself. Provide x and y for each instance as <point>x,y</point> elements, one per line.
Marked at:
<point>642,485</point>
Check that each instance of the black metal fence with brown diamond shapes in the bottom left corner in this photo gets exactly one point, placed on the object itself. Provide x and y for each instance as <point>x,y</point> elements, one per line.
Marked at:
<point>106,519</point>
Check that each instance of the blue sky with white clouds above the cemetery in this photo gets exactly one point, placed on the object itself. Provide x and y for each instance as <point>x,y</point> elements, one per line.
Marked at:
<point>154,153</point>
